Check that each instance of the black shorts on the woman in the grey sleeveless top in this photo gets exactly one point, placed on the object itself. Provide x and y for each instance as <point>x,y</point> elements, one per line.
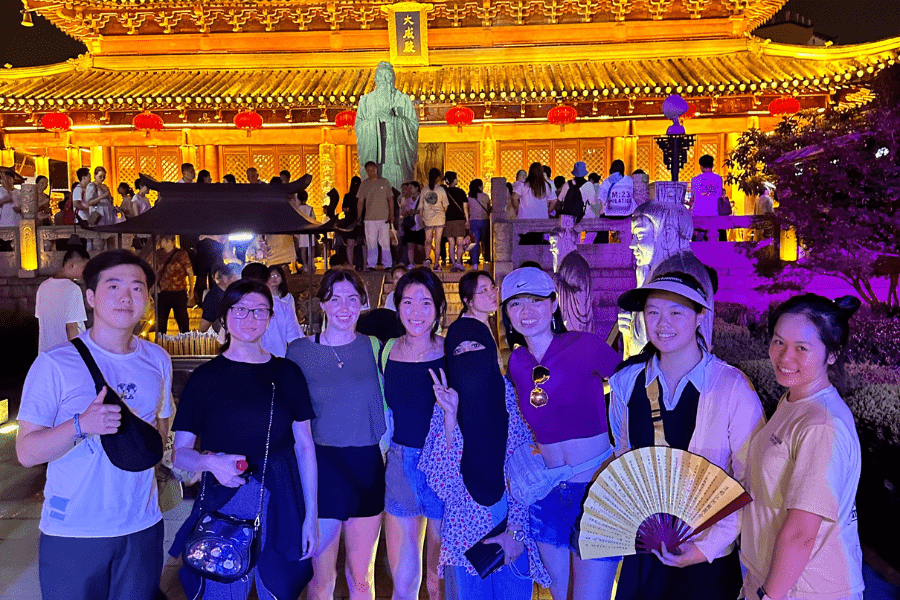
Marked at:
<point>351,481</point>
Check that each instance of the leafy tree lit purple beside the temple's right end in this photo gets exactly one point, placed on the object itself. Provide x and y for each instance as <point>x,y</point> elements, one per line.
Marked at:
<point>837,176</point>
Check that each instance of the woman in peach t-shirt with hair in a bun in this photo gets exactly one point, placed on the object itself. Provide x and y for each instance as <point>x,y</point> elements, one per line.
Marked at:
<point>799,535</point>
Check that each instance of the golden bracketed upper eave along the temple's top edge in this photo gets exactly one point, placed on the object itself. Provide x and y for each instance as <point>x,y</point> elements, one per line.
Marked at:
<point>88,20</point>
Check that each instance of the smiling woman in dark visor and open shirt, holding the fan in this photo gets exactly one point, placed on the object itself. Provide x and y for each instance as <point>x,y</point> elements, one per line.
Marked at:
<point>675,393</point>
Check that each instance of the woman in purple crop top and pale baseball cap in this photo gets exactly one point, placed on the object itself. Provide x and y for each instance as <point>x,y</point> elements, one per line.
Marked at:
<point>558,377</point>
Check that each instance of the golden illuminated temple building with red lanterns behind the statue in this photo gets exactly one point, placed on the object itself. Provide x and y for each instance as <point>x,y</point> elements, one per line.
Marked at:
<point>230,84</point>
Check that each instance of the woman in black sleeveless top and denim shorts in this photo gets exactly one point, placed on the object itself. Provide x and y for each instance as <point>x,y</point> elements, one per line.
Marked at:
<point>411,507</point>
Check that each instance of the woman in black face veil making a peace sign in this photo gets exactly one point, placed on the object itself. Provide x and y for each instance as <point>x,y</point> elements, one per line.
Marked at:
<point>473,431</point>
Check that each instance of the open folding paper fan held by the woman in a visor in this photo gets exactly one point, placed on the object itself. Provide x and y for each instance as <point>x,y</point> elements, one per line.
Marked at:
<point>653,495</point>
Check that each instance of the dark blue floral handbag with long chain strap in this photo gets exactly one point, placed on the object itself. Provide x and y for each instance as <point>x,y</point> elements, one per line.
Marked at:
<point>222,547</point>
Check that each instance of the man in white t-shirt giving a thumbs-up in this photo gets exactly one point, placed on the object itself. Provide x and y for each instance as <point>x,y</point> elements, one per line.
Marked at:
<point>101,527</point>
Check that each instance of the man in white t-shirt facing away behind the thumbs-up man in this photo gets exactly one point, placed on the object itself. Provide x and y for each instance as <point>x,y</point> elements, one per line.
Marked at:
<point>59,306</point>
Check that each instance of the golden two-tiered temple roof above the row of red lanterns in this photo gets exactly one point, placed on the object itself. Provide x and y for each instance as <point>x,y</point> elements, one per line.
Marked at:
<point>613,58</point>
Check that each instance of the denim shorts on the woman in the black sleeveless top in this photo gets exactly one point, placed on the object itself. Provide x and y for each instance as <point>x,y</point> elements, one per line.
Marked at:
<point>406,492</point>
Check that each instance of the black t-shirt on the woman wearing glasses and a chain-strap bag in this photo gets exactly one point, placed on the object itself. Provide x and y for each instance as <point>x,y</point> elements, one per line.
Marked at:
<point>226,404</point>
